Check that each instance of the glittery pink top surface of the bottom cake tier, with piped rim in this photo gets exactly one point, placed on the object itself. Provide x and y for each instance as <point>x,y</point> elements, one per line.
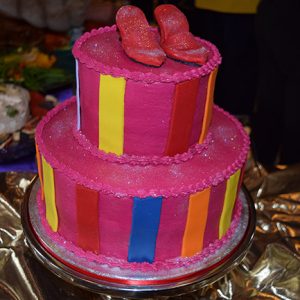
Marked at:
<point>225,155</point>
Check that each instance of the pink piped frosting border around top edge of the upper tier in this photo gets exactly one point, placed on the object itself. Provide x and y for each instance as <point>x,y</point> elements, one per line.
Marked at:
<point>83,57</point>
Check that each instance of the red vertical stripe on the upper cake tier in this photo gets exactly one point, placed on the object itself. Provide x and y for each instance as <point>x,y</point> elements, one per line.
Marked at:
<point>184,105</point>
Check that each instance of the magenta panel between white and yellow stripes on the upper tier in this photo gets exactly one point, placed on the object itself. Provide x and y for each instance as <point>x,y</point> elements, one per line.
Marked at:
<point>89,101</point>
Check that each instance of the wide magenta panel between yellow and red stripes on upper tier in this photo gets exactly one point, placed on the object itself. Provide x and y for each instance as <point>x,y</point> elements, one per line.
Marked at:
<point>147,106</point>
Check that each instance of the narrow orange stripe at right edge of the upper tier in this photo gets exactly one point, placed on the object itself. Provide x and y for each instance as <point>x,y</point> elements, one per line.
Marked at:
<point>208,105</point>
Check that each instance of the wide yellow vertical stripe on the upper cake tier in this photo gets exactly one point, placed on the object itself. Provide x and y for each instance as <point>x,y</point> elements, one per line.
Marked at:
<point>111,114</point>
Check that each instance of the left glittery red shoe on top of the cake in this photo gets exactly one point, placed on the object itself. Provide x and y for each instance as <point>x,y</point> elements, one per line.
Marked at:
<point>138,40</point>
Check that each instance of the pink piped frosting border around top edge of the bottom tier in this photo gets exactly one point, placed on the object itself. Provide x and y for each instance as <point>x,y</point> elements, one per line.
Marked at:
<point>98,186</point>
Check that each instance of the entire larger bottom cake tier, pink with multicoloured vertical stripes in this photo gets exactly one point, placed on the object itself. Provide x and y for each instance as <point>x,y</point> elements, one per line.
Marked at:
<point>139,214</point>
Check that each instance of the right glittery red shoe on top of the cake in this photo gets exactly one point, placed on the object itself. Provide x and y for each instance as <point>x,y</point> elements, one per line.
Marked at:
<point>176,39</point>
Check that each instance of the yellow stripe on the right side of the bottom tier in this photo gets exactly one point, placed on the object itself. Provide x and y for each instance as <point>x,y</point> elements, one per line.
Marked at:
<point>229,200</point>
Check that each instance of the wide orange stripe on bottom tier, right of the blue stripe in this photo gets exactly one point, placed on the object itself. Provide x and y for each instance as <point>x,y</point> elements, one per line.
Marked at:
<point>196,223</point>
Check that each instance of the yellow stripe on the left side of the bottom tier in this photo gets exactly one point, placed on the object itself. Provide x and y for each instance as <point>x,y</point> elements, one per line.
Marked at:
<point>49,190</point>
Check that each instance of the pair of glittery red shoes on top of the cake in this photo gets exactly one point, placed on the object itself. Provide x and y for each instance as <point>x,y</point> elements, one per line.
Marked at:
<point>141,44</point>
